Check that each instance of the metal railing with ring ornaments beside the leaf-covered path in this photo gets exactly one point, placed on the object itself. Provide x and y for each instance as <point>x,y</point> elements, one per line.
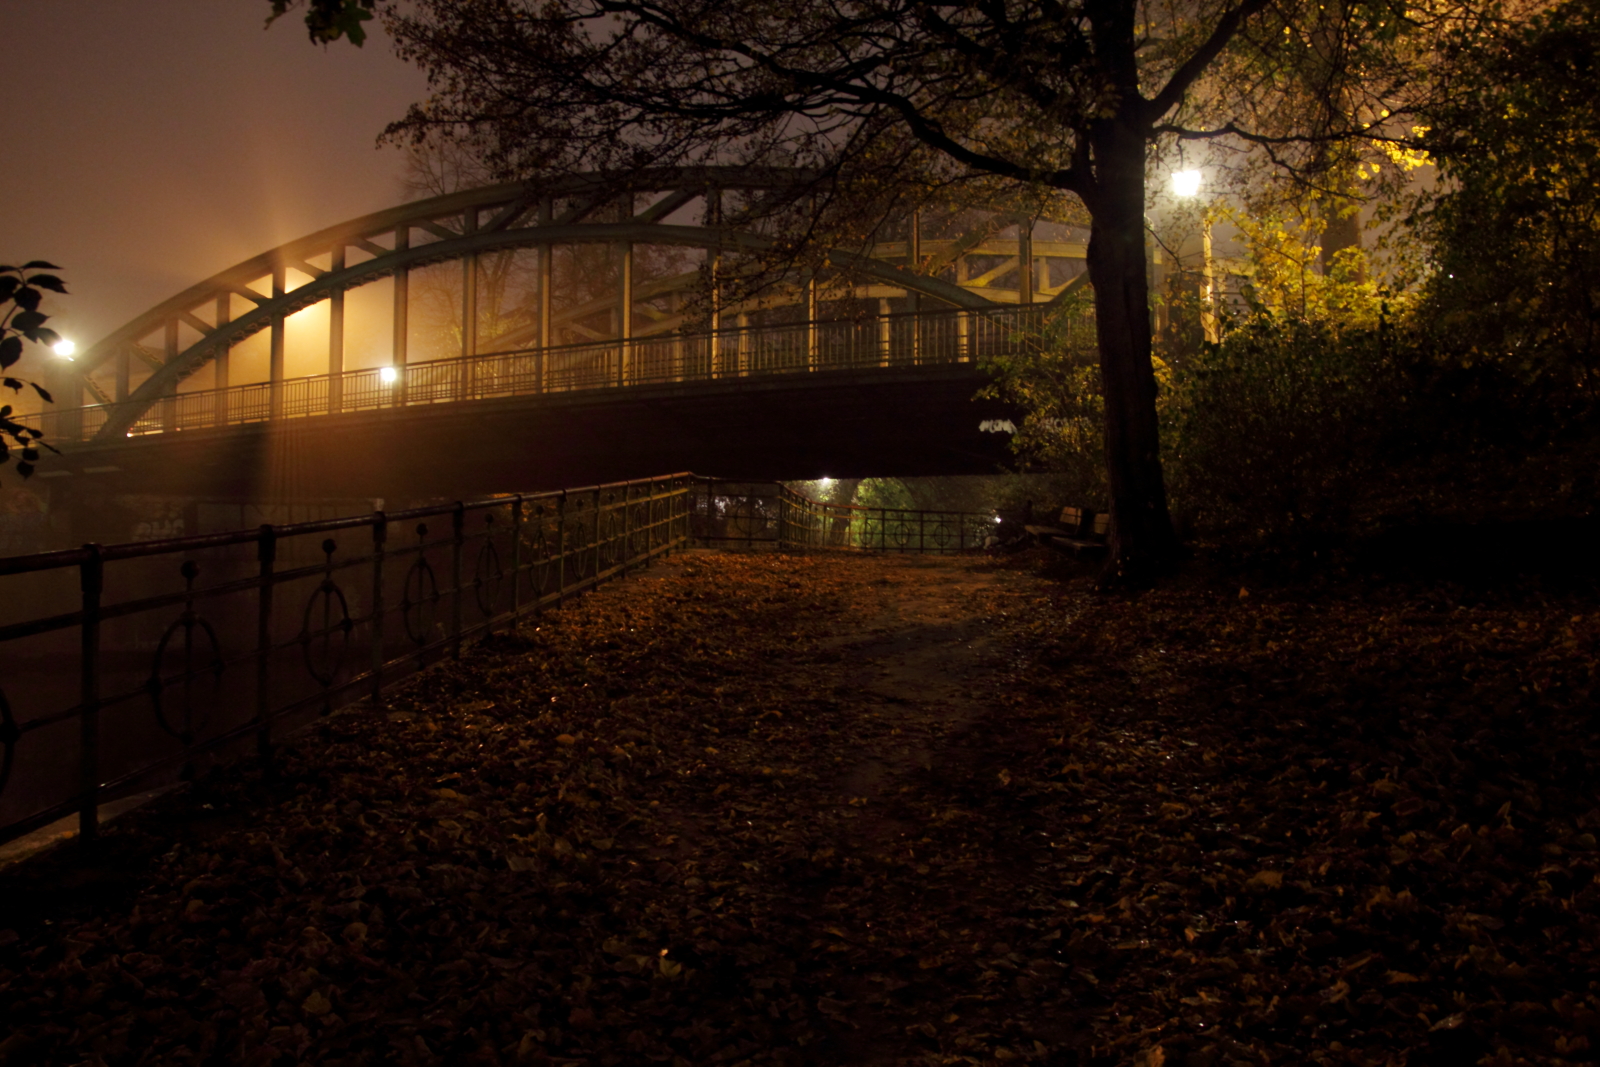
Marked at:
<point>132,666</point>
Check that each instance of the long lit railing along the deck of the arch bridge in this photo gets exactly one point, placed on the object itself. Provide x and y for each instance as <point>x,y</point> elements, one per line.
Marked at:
<point>886,342</point>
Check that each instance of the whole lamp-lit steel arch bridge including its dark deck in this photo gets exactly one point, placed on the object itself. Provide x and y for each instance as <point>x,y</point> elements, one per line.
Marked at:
<point>519,337</point>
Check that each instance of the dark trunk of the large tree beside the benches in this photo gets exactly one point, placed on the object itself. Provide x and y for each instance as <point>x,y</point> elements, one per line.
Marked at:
<point>1143,543</point>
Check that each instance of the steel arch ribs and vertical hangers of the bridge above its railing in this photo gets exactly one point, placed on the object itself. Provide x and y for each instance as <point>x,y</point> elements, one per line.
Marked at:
<point>201,327</point>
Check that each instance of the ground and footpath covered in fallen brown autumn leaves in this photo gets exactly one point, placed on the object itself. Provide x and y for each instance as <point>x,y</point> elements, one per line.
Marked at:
<point>886,812</point>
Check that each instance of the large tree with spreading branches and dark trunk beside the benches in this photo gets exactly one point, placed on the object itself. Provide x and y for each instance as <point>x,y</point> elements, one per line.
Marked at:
<point>886,106</point>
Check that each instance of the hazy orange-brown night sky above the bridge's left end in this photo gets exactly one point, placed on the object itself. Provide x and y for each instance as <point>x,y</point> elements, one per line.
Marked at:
<point>153,143</point>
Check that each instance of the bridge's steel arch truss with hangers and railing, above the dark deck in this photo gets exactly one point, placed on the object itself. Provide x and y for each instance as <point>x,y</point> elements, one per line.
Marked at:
<point>959,294</point>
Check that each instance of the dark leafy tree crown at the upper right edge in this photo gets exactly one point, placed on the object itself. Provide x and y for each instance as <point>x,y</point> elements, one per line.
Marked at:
<point>1516,230</point>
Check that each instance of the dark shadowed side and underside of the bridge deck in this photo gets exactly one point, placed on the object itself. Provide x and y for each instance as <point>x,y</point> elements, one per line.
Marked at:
<point>873,423</point>
